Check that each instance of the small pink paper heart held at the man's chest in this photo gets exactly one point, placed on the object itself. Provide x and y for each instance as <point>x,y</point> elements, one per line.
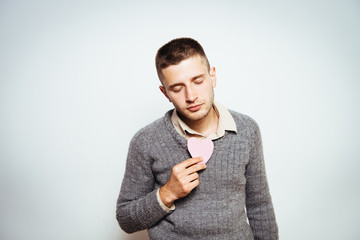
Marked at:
<point>200,148</point>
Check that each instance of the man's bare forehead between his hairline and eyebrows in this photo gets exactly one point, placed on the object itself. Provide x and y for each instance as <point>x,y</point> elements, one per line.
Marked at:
<point>184,71</point>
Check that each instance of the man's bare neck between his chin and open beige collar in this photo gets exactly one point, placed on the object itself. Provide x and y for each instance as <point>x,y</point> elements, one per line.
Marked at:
<point>205,126</point>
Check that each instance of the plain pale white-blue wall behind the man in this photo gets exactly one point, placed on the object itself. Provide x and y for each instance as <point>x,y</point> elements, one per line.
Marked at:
<point>78,80</point>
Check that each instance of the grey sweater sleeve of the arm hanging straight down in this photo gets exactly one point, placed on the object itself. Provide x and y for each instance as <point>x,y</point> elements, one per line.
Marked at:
<point>258,200</point>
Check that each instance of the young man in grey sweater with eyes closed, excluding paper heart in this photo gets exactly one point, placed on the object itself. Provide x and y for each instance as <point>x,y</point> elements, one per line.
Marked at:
<point>176,196</point>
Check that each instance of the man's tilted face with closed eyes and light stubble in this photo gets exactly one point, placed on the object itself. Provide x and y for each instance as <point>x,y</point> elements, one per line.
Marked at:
<point>189,86</point>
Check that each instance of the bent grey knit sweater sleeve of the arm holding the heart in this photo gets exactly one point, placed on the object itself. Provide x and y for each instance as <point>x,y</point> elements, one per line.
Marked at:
<point>137,205</point>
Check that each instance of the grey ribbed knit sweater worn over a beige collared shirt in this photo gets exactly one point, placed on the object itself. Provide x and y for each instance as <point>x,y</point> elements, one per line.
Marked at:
<point>233,181</point>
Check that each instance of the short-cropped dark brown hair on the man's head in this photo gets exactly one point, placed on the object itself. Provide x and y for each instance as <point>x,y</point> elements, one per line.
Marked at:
<point>177,50</point>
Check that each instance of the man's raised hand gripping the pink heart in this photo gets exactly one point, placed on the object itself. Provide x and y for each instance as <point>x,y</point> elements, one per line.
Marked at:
<point>184,178</point>
